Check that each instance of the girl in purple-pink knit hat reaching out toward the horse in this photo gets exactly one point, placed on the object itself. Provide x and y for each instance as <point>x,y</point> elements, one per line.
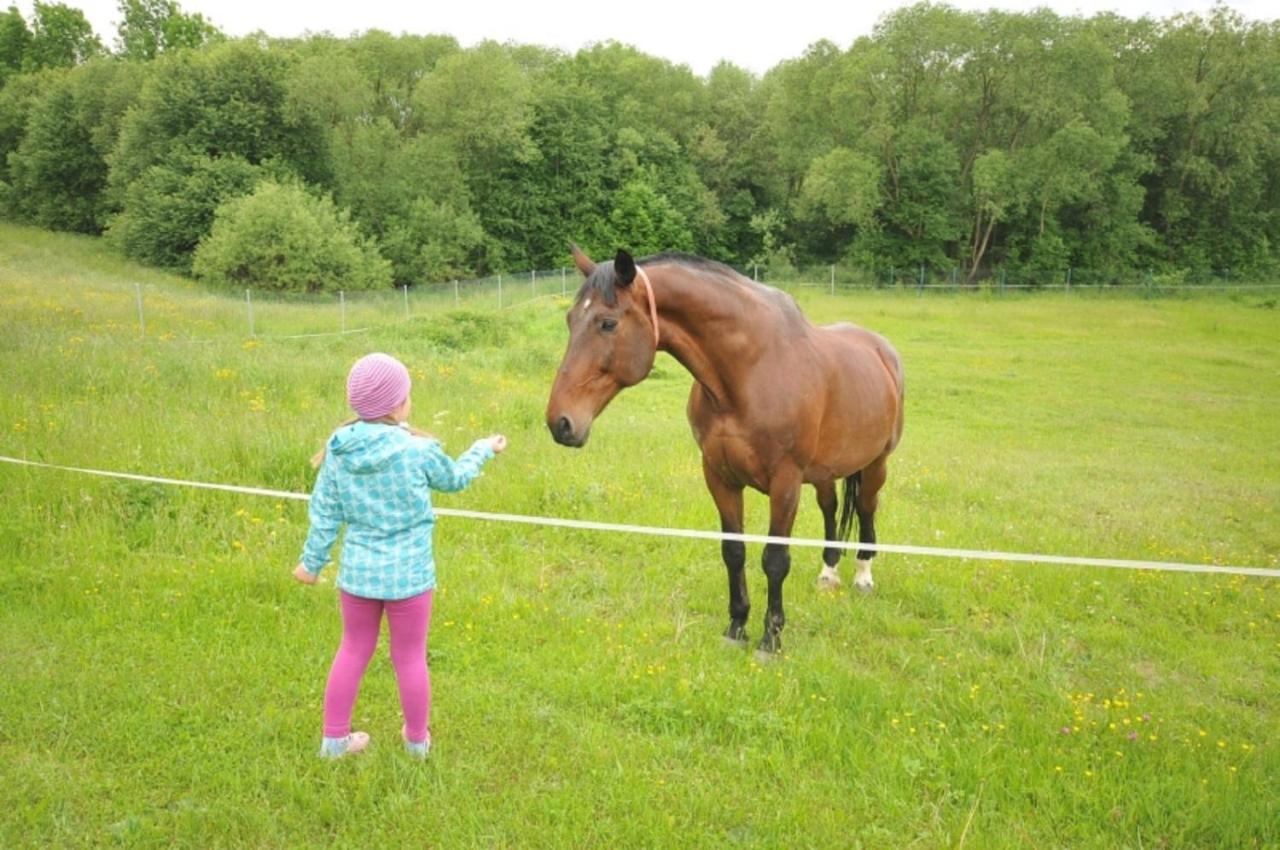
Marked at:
<point>376,477</point>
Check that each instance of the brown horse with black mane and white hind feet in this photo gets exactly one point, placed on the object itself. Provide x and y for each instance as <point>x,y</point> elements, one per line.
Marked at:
<point>776,403</point>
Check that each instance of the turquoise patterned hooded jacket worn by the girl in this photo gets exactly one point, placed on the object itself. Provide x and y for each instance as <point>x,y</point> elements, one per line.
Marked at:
<point>378,481</point>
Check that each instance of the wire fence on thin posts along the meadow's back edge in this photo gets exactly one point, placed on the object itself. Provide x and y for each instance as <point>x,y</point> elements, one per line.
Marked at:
<point>195,314</point>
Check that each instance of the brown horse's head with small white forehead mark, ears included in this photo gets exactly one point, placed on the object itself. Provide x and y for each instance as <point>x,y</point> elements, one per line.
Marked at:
<point>611,346</point>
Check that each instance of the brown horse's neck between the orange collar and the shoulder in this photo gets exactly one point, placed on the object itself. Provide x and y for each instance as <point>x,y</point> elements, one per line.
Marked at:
<point>712,327</point>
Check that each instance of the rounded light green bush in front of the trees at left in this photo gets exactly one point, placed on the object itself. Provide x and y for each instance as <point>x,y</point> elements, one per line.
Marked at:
<point>286,240</point>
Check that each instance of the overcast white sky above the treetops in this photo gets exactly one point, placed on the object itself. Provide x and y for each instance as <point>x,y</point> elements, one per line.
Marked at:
<point>693,33</point>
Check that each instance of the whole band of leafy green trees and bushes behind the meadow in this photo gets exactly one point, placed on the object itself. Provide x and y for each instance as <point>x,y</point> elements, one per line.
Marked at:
<point>947,139</point>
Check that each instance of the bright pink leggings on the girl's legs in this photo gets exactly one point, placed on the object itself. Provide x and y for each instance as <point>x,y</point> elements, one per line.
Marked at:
<point>409,621</point>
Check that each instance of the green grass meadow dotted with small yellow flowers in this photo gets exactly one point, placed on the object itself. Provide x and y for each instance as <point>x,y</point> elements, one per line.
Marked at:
<point>162,674</point>
